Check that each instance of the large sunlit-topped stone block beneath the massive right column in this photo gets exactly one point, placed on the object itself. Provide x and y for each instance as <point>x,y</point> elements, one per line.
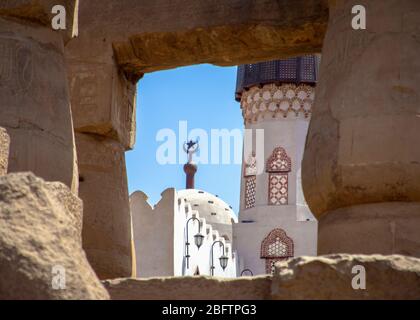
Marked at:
<point>330,277</point>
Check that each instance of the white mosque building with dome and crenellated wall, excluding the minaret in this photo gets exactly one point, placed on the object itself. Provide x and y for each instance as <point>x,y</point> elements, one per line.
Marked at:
<point>188,232</point>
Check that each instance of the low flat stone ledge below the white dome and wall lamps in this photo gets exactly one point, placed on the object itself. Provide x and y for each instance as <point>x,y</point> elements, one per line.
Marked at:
<point>190,288</point>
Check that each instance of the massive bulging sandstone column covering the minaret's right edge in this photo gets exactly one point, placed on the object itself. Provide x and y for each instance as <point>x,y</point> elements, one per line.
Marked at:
<point>361,167</point>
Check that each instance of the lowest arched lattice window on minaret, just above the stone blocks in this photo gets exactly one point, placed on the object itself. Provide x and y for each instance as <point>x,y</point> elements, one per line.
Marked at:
<point>275,247</point>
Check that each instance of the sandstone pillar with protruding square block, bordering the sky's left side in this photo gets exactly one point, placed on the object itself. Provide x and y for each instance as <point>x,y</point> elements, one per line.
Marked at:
<point>103,105</point>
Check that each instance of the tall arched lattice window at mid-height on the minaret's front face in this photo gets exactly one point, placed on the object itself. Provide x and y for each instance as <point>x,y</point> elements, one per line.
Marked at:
<point>278,166</point>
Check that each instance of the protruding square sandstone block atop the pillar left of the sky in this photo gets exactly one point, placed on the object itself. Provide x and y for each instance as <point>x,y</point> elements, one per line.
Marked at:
<point>102,100</point>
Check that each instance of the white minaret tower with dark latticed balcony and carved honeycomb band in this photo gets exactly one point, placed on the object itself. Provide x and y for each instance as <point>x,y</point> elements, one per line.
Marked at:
<point>274,221</point>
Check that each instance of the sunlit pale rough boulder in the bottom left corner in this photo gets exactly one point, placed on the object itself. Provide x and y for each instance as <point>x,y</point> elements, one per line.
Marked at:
<point>37,233</point>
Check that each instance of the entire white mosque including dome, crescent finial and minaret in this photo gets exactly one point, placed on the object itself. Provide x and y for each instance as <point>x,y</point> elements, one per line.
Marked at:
<point>192,232</point>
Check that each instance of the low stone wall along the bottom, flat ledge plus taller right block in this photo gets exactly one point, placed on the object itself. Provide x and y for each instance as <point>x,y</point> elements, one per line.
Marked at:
<point>326,277</point>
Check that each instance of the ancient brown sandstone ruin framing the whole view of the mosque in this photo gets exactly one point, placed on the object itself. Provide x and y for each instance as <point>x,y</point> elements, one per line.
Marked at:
<point>67,116</point>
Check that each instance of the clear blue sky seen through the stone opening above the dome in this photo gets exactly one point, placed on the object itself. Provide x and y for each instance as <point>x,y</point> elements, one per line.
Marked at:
<point>202,95</point>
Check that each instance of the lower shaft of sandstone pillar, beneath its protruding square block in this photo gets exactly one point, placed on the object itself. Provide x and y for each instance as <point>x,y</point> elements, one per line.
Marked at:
<point>106,219</point>
